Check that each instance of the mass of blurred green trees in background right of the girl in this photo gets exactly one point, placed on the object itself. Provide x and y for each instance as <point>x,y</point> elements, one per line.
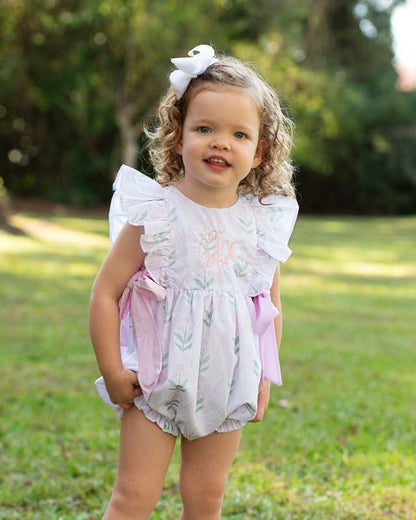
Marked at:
<point>336,73</point>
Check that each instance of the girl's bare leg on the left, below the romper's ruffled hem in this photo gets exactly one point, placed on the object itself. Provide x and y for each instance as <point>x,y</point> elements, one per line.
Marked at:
<point>145,453</point>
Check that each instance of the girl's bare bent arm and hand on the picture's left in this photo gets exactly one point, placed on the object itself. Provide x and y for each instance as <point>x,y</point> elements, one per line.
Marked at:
<point>122,261</point>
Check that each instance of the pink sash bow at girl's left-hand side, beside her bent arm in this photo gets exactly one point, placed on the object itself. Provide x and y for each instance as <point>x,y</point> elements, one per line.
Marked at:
<point>135,301</point>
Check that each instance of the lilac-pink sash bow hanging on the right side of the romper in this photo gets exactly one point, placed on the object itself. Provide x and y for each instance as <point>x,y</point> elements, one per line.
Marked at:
<point>264,324</point>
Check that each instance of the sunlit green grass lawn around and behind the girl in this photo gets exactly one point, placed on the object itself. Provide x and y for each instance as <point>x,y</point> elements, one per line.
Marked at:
<point>339,438</point>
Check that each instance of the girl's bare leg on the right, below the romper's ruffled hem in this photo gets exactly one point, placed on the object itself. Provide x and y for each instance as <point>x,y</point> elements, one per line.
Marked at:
<point>204,471</point>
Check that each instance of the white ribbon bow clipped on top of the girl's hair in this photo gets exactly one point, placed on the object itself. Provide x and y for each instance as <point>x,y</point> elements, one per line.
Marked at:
<point>201,57</point>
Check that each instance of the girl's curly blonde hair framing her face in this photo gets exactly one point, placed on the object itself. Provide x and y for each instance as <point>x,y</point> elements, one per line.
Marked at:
<point>273,175</point>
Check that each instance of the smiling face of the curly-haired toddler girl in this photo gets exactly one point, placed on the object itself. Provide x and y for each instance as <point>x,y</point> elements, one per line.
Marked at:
<point>220,139</point>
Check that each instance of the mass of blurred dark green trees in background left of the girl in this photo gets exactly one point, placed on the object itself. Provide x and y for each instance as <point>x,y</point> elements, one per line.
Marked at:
<point>86,73</point>
